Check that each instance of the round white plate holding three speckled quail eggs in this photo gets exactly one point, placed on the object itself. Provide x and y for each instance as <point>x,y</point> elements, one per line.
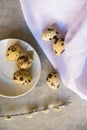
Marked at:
<point>7,87</point>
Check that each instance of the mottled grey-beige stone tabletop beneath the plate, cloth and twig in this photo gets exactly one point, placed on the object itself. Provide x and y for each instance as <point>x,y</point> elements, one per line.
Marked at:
<point>72,117</point>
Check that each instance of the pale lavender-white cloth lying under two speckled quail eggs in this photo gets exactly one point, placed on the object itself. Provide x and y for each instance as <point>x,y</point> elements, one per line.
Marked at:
<point>70,17</point>
